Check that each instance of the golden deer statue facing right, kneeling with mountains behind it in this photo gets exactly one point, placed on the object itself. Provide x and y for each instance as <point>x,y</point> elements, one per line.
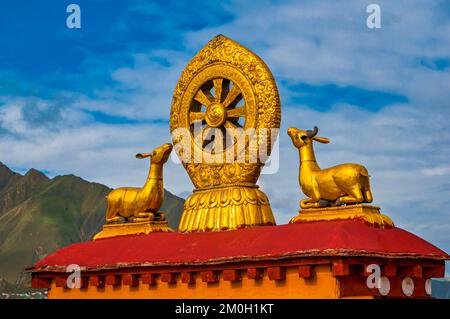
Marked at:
<point>140,204</point>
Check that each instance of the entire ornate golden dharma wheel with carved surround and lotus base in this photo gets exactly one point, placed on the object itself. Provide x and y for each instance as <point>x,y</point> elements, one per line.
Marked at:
<point>225,94</point>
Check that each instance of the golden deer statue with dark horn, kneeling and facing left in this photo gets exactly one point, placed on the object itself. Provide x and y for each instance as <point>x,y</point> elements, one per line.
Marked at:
<point>341,184</point>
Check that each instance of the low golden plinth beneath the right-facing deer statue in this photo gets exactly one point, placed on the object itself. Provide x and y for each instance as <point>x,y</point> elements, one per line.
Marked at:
<point>114,230</point>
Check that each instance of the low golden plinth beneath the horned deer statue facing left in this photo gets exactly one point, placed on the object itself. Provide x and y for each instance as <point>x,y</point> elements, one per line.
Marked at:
<point>368,213</point>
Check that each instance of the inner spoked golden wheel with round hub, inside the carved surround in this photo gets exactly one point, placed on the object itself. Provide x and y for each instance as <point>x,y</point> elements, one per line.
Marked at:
<point>218,105</point>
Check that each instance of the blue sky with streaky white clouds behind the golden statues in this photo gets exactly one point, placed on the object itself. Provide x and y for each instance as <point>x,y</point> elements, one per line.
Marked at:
<point>83,101</point>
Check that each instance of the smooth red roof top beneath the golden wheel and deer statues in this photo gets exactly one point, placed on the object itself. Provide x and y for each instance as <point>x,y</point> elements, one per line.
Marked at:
<point>332,238</point>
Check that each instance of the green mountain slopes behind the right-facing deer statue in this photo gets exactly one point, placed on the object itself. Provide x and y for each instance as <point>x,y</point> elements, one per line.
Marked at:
<point>39,215</point>
